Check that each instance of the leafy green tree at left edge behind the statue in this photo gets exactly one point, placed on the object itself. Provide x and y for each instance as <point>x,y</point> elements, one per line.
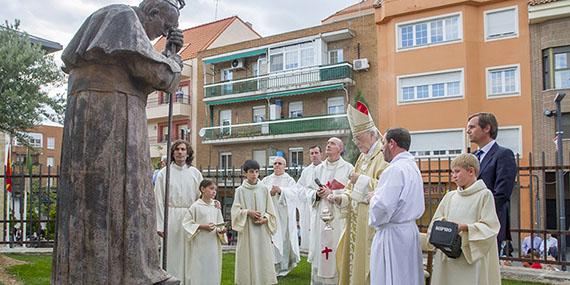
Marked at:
<point>26,73</point>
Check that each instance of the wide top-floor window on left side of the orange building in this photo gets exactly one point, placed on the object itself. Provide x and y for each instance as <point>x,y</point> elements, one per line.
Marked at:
<point>431,31</point>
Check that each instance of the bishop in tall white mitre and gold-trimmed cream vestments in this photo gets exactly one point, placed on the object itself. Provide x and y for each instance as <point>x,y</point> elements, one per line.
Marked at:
<point>353,255</point>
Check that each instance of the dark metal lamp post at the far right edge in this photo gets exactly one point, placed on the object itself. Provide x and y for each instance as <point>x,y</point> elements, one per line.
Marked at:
<point>560,173</point>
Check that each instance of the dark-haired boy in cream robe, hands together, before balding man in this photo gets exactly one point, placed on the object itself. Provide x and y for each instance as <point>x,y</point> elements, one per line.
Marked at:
<point>254,218</point>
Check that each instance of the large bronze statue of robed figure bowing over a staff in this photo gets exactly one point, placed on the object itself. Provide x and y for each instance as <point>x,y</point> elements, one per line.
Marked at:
<point>106,208</point>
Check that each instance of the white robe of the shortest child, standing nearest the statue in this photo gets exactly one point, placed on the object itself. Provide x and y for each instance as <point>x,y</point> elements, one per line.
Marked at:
<point>205,246</point>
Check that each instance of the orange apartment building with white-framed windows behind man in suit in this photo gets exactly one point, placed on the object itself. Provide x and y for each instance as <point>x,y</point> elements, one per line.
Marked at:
<point>443,60</point>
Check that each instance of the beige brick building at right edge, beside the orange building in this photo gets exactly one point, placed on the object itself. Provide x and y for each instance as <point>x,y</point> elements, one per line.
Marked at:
<point>550,75</point>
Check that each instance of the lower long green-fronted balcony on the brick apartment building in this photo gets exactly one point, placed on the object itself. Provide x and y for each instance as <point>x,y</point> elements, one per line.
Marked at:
<point>308,127</point>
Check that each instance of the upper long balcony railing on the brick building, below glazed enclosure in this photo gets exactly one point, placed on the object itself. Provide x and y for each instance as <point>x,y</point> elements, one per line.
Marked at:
<point>279,80</point>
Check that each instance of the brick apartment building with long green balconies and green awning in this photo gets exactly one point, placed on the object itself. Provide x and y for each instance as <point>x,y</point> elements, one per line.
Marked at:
<point>280,95</point>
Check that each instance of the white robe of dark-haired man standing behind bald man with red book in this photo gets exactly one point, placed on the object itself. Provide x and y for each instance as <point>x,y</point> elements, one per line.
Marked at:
<point>307,178</point>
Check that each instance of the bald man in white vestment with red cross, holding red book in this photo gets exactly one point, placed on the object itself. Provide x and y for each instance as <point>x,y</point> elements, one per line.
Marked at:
<point>333,174</point>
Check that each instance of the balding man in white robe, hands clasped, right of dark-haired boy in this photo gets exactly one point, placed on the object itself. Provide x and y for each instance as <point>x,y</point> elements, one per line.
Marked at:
<point>284,194</point>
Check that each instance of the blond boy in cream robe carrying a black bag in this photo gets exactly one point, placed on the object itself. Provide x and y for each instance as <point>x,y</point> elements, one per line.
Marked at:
<point>472,207</point>
